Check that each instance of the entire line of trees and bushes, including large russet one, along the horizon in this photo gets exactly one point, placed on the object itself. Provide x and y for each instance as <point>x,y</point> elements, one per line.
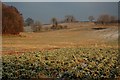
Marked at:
<point>13,23</point>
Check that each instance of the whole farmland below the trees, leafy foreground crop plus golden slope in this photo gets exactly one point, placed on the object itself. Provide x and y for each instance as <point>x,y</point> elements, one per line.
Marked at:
<point>83,51</point>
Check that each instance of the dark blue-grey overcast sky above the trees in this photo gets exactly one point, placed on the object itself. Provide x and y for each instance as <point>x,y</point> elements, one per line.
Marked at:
<point>44,11</point>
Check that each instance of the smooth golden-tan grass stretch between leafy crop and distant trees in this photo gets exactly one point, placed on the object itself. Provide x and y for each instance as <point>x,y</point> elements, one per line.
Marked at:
<point>82,36</point>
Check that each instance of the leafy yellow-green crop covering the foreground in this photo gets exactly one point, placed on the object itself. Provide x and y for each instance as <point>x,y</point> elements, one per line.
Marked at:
<point>70,63</point>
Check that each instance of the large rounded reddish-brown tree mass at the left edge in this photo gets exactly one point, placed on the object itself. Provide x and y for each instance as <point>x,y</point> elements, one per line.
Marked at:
<point>12,20</point>
